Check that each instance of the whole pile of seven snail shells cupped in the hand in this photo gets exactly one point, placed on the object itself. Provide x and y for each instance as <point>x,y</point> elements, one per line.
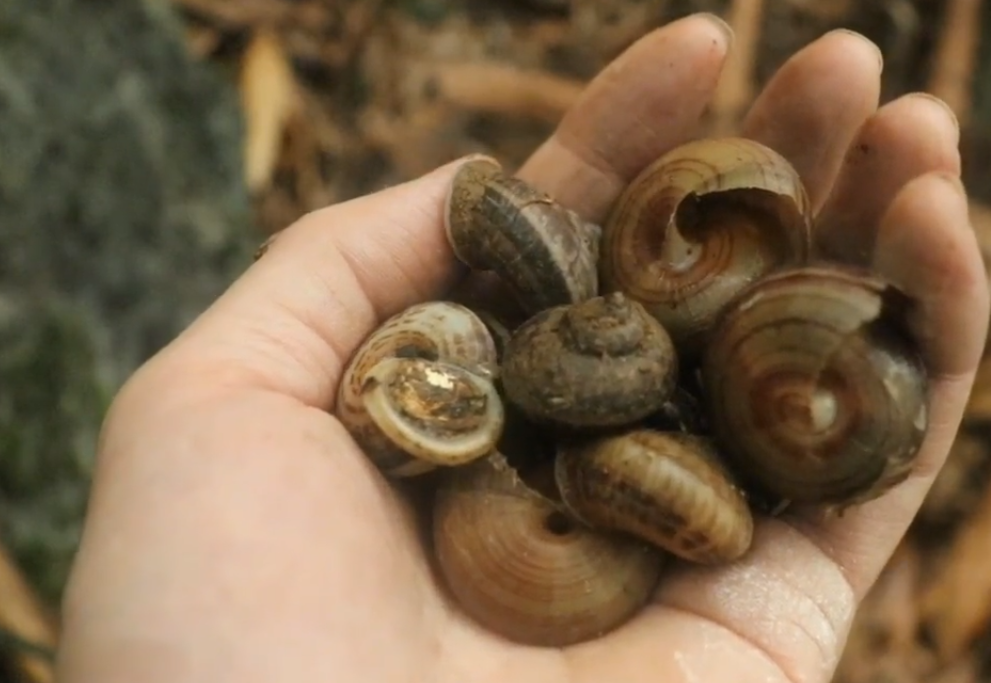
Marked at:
<point>666,377</point>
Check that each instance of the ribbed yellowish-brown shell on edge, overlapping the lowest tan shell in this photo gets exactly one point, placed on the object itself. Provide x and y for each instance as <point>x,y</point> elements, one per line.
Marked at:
<point>669,489</point>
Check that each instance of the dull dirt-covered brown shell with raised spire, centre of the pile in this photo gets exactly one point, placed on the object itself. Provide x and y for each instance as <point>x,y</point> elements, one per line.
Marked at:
<point>599,363</point>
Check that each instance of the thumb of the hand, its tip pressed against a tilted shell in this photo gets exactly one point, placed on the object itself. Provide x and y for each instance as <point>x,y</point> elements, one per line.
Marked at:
<point>292,320</point>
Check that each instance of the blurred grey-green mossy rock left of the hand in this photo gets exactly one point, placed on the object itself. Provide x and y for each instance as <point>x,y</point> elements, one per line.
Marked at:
<point>122,216</point>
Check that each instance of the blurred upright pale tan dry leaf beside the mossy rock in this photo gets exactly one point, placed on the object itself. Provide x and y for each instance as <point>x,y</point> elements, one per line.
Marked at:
<point>269,99</point>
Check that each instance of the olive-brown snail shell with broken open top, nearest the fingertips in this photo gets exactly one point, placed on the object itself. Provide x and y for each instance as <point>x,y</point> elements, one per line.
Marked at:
<point>700,224</point>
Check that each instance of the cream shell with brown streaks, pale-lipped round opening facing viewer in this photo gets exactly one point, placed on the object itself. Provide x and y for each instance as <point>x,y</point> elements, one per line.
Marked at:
<point>419,392</point>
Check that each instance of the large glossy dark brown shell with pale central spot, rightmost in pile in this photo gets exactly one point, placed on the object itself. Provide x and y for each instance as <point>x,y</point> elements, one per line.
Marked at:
<point>814,390</point>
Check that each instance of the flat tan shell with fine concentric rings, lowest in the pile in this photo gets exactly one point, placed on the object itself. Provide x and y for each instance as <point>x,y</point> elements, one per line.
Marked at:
<point>519,566</point>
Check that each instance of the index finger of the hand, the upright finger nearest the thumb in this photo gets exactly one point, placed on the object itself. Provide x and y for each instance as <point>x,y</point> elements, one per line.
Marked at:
<point>650,99</point>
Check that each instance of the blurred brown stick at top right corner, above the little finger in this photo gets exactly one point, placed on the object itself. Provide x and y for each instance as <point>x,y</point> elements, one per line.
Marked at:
<point>953,63</point>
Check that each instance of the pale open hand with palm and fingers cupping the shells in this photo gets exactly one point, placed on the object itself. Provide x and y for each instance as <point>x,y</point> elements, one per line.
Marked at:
<point>236,533</point>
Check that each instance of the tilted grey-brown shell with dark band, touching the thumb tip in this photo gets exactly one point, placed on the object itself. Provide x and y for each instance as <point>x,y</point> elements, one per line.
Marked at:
<point>546,254</point>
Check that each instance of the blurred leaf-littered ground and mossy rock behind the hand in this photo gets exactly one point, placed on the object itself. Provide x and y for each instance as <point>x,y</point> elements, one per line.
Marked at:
<point>148,146</point>
